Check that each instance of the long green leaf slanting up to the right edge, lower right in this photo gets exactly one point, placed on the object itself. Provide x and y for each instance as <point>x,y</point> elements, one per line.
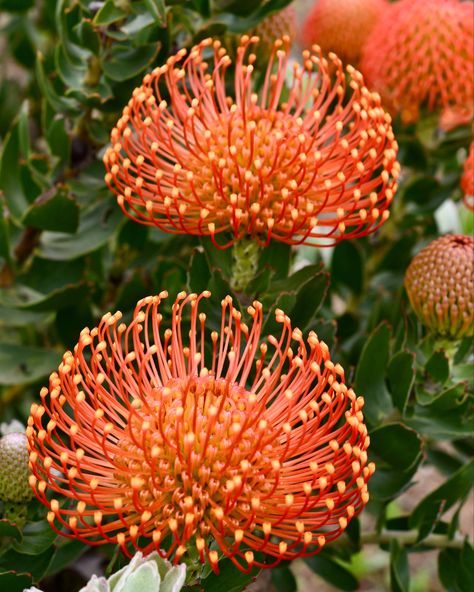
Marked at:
<point>439,501</point>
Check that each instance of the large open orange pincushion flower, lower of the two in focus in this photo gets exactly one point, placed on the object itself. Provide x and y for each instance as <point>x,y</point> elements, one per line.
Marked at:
<point>174,438</point>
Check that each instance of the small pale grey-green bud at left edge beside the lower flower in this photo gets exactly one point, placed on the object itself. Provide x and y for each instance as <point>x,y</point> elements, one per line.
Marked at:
<point>14,471</point>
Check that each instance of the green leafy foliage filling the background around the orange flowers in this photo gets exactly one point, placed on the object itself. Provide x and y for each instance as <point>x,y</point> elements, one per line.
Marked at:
<point>67,255</point>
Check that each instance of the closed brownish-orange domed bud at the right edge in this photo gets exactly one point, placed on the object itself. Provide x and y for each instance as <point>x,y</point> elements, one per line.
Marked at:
<point>440,285</point>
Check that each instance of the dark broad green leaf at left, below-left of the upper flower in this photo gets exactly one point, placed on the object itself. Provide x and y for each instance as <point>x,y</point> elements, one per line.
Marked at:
<point>54,210</point>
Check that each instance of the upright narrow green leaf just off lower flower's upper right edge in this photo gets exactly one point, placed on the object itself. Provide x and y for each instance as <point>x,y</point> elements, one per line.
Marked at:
<point>370,374</point>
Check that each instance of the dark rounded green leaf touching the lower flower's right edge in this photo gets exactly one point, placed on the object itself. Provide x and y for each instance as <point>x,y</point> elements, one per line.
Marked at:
<point>398,446</point>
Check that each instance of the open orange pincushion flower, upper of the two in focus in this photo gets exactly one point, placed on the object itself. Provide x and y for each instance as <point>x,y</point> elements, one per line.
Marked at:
<point>313,169</point>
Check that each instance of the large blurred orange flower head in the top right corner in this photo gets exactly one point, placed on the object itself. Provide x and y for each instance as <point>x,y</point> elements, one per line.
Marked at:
<point>421,54</point>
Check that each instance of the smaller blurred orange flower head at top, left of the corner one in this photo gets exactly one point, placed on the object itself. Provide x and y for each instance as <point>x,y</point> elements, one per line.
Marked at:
<point>342,26</point>
